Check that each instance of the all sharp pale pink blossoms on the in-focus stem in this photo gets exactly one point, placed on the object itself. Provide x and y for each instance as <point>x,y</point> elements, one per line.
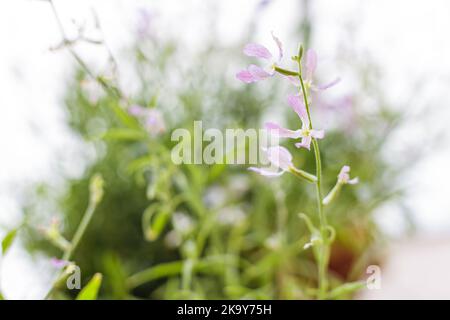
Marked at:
<point>279,157</point>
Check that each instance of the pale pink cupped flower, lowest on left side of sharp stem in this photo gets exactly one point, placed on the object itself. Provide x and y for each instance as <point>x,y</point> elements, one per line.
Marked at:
<point>280,159</point>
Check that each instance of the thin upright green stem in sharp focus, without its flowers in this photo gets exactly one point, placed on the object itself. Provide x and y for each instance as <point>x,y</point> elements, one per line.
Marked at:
<point>324,250</point>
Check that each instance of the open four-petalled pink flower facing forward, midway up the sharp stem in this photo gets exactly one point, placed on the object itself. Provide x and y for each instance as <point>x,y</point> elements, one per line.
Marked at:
<point>305,133</point>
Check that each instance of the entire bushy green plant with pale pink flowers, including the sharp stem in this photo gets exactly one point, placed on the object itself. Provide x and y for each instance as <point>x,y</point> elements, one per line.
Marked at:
<point>208,231</point>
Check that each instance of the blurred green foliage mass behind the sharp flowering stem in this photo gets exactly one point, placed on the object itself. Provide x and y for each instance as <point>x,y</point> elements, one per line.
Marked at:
<point>211,231</point>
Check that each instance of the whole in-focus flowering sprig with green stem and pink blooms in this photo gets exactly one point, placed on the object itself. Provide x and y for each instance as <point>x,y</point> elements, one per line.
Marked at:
<point>301,103</point>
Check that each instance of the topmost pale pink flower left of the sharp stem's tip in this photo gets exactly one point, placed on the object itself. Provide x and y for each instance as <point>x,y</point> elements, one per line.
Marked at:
<point>255,73</point>
